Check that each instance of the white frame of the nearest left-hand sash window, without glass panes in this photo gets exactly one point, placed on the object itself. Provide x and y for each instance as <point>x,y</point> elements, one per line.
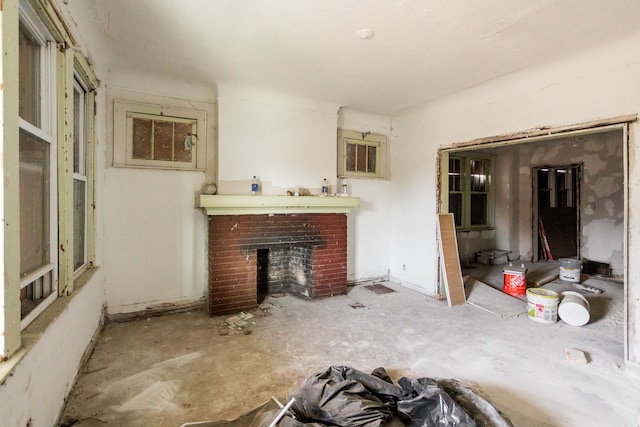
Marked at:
<point>45,131</point>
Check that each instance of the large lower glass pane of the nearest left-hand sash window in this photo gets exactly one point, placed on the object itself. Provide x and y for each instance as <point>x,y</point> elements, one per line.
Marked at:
<point>34,203</point>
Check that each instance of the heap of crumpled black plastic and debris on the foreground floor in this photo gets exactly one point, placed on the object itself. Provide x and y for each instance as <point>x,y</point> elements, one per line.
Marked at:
<point>341,395</point>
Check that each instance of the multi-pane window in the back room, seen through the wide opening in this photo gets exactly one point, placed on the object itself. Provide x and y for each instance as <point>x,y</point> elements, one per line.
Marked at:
<point>469,192</point>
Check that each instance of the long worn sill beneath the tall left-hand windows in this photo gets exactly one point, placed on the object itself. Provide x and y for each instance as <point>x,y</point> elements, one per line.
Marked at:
<point>32,333</point>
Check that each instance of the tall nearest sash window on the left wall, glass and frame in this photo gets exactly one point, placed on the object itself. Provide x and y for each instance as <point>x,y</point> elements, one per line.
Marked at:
<point>37,173</point>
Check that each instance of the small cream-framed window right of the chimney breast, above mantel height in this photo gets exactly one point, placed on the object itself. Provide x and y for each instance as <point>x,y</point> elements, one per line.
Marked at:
<point>362,154</point>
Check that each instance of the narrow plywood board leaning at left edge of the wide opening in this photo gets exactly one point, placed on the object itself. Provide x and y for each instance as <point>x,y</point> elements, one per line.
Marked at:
<point>449,260</point>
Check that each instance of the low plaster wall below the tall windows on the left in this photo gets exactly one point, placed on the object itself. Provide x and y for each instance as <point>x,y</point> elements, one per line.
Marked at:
<point>35,393</point>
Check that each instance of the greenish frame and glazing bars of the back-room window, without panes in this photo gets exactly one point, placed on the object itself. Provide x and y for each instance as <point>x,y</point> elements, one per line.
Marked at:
<point>466,191</point>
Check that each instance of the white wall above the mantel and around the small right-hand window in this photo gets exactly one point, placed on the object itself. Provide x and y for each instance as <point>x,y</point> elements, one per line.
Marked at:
<point>290,142</point>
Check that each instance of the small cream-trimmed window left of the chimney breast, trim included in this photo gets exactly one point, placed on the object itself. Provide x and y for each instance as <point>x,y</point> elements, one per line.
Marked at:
<point>159,137</point>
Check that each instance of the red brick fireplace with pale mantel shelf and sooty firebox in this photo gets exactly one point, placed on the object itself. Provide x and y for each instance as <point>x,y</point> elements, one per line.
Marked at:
<point>256,250</point>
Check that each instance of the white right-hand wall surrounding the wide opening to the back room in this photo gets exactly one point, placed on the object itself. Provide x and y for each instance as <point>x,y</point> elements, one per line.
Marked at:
<point>596,84</point>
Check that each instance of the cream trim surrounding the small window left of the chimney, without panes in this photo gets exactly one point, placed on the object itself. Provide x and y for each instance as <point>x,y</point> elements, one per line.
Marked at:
<point>123,112</point>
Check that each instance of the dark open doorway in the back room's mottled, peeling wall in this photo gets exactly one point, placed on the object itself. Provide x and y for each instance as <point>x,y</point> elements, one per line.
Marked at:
<point>556,213</point>
